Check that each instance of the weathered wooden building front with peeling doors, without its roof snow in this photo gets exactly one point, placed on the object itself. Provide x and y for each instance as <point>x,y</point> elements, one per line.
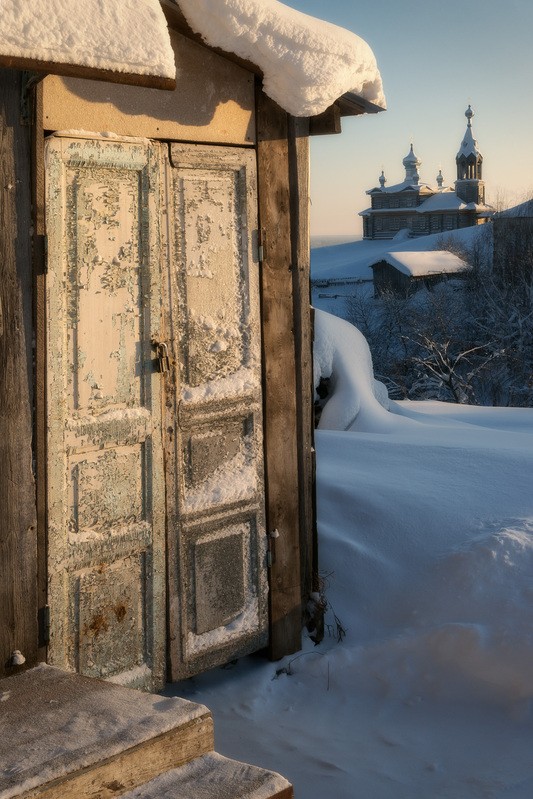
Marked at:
<point>156,458</point>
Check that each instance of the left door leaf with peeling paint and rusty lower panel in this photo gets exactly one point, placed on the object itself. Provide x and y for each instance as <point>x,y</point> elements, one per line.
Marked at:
<point>106,556</point>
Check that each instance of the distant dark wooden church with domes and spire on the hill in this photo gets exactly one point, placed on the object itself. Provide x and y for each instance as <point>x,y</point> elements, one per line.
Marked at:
<point>422,208</point>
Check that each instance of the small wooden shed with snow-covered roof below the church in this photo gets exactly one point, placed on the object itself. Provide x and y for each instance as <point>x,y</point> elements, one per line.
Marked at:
<point>404,273</point>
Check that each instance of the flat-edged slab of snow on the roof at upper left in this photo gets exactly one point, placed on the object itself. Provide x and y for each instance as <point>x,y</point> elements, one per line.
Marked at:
<point>127,37</point>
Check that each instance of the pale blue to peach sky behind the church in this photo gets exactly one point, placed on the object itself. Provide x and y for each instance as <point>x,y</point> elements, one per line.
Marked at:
<point>435,57</point>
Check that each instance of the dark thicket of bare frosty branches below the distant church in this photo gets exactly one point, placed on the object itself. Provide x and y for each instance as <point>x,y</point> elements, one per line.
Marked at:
<point>467,341</point>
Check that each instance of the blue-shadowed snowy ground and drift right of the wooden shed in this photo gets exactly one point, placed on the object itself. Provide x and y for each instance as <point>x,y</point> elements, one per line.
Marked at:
<point>426,549</point>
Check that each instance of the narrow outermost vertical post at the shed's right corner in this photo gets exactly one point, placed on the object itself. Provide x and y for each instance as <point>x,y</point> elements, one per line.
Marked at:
<point>300,246</point>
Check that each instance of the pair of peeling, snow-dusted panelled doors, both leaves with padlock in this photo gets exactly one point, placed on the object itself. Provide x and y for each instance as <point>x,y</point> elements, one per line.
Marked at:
<point>156,533</point>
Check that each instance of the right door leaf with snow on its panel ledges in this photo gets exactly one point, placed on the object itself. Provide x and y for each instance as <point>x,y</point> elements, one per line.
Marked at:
<point>215,484</point>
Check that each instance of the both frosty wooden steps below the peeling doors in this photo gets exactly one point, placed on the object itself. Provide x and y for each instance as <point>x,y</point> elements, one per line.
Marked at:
<point>64,736</point>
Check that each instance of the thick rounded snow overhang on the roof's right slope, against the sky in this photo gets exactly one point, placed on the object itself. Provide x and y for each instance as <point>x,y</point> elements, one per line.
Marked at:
<point>307,64</point>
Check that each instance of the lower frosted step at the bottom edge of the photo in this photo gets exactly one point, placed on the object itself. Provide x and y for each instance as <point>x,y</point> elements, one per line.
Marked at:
<point>215,777</point>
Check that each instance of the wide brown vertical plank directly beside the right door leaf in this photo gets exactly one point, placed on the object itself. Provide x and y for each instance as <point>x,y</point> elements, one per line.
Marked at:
<point>281,156</point>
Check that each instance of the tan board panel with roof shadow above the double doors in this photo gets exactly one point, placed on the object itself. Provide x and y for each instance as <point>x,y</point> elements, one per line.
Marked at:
<point>213,102</point>
